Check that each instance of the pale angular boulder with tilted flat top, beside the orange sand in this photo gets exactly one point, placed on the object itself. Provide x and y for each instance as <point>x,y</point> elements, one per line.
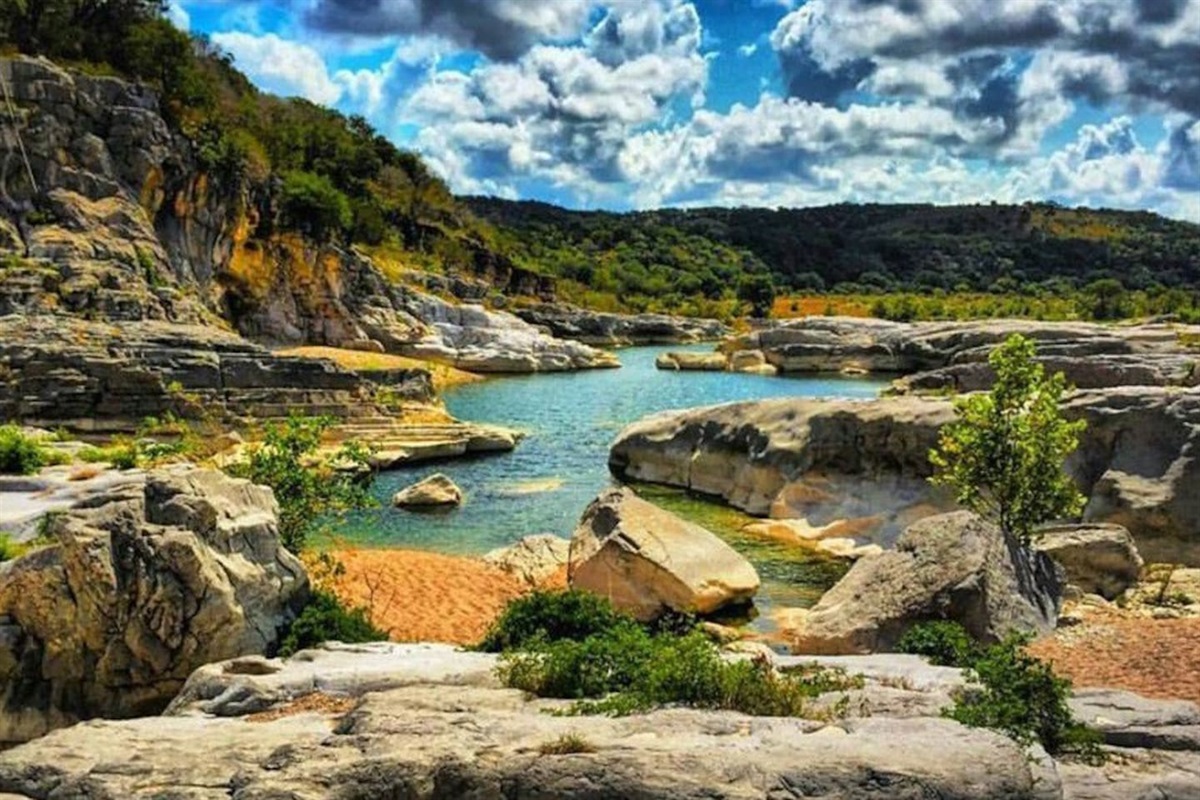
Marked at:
<point>649,561</point>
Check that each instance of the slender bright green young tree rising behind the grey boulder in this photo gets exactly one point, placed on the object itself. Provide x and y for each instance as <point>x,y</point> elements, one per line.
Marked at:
<point>1004,454</point>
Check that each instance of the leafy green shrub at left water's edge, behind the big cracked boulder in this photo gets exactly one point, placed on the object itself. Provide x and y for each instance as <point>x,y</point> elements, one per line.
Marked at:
<point>307,488</point>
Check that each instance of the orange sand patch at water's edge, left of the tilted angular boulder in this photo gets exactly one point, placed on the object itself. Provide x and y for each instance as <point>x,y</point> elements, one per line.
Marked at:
<point>419,597</point>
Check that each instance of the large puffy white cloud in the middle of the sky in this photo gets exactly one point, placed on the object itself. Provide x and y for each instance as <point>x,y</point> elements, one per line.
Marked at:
<point>563,113</point>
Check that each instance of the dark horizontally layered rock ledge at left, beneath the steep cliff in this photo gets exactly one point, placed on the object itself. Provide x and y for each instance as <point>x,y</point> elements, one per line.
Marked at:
<point>93,376</point>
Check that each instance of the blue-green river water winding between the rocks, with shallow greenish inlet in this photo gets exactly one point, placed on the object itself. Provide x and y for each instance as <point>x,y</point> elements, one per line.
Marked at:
<point>571,422</point>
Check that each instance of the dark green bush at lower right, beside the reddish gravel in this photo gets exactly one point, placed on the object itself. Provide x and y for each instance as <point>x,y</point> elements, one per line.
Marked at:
<point>1023,699</point>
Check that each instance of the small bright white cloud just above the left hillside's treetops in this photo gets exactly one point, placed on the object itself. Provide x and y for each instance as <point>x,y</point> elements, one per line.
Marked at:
<point>281,67</point>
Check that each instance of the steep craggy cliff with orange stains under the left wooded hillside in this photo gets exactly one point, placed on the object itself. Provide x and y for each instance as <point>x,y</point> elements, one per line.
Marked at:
<point>122,224</point>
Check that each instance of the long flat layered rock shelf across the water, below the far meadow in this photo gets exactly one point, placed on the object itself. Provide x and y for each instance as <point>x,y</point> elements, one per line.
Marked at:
<point>953,356</point>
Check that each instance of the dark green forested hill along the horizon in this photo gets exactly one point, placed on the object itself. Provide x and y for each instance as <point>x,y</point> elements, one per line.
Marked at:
<point>851,249</point>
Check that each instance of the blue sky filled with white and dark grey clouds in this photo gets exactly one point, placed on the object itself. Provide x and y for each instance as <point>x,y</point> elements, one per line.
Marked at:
<point>645,104</point>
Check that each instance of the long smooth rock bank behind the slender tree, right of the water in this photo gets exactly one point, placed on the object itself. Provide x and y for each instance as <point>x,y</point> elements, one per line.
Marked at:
<point>830,461</point>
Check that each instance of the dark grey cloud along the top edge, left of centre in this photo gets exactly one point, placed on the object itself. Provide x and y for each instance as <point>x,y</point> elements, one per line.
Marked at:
<point>500,29</point>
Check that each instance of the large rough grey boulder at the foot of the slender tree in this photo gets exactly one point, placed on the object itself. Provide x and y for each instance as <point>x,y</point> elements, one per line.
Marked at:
<point>953,567</point>
